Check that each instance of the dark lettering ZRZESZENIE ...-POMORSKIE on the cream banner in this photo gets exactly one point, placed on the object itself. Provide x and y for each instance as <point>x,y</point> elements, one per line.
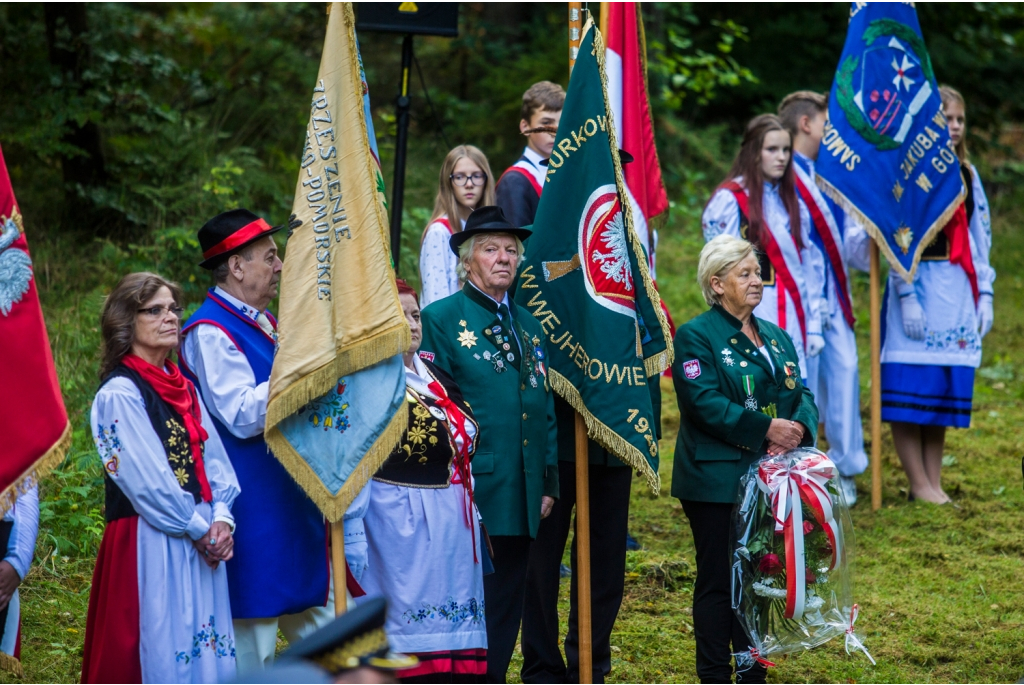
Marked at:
<point>324,191</point>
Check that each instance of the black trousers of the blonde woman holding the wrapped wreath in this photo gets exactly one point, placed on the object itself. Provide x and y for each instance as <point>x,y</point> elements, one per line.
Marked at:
<point>715,625</point>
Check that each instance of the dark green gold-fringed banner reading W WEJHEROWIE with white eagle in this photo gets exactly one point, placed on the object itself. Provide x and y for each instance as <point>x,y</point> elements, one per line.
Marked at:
<point>586,278</point>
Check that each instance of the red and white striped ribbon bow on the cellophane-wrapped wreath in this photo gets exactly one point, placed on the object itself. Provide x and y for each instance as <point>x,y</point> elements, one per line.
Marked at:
<point>786,483</point>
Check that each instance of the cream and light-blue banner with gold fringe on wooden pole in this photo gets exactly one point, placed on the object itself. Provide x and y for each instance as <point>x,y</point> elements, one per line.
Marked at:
<point>336,405</point>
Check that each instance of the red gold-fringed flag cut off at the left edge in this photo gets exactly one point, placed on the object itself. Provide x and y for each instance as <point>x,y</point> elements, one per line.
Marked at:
<point>33,421</point>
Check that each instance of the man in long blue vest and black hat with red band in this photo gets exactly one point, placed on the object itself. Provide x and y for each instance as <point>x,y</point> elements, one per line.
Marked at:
<point>280,577</point>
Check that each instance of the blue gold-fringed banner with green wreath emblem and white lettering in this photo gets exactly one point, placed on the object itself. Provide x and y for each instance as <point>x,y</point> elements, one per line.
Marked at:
<point>886,155</point>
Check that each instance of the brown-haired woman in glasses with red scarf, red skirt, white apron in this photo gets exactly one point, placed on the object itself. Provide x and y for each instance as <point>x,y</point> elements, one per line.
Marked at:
<point>159,610</point>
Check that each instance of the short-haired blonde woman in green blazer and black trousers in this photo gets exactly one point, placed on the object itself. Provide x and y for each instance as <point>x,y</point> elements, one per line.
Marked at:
<point>741,397</point>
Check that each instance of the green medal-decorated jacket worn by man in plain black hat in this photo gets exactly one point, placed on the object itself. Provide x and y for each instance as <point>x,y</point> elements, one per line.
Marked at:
<point>517,457</point>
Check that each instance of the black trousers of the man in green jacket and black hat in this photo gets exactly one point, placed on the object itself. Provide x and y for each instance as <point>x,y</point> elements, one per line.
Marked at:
<point>503,596</point>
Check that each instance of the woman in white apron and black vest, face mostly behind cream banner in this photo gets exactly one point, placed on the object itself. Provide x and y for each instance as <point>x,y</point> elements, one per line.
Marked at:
<point>424,542</point>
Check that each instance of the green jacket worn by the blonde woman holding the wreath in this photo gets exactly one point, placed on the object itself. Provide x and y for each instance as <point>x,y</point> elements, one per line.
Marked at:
<point>722,427</point>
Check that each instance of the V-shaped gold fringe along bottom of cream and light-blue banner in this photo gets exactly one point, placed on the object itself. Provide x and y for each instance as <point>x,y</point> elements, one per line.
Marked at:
<point>334,505</point>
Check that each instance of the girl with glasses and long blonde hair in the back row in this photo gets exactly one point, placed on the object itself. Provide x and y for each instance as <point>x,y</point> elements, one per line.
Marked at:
<point>465,184</point>
